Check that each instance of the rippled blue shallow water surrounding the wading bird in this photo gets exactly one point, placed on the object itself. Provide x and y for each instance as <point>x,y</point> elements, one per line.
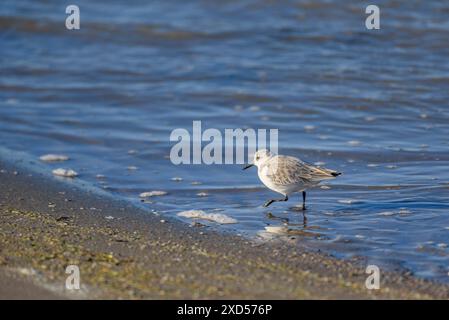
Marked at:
<point>372,104</point>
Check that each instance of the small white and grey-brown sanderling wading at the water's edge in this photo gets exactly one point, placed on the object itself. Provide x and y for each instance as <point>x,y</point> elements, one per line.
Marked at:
<point>287,175</point>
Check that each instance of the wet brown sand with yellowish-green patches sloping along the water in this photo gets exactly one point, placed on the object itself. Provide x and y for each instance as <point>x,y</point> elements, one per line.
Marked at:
<point>47,224</point>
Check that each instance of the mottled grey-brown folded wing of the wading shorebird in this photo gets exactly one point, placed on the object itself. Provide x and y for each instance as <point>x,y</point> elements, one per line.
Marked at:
<point>284,170</point>
